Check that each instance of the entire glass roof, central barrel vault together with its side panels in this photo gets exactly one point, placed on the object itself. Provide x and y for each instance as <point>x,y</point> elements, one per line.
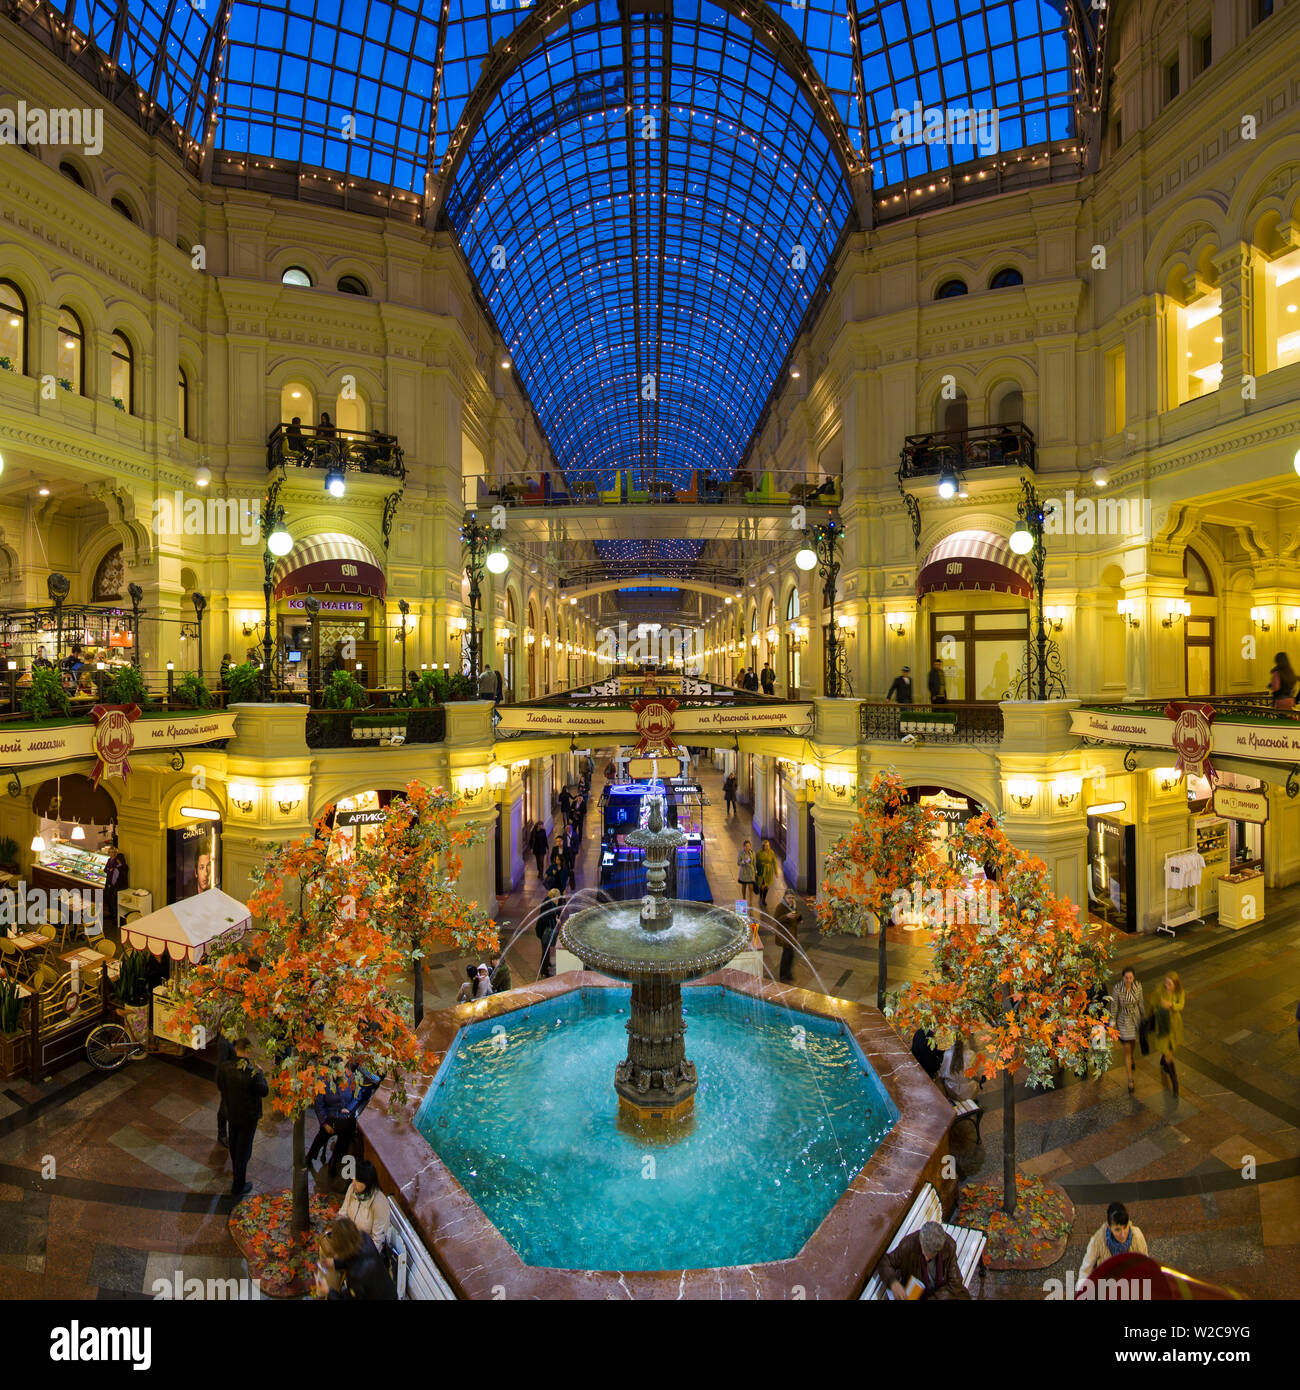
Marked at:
<point>650,284</point>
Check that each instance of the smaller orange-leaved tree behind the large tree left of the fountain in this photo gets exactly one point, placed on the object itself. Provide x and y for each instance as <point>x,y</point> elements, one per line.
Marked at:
<point>409,868</point>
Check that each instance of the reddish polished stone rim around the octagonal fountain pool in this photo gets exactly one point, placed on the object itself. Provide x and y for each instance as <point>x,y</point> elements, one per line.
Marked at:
<point>836,1260</point>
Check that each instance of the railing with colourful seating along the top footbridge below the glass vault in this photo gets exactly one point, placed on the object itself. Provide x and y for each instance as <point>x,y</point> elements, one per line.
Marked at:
<point>622,489</point>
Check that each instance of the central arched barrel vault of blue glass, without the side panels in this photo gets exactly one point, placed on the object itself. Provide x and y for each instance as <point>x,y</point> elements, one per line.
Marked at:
<point>649,209</point>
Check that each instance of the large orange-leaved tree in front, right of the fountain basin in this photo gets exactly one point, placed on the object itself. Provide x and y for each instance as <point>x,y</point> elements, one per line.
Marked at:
<point>1016,971</point>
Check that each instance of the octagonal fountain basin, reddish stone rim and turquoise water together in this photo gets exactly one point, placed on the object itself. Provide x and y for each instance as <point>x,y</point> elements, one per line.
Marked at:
<point>813,1131</point>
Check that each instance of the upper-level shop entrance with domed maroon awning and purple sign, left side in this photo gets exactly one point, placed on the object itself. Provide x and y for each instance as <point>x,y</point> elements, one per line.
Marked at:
<point>350,584</point>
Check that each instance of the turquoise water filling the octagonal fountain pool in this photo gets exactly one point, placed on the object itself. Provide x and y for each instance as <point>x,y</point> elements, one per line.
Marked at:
<point>525,1114</point>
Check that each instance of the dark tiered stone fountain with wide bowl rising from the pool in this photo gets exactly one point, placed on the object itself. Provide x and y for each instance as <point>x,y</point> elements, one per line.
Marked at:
<point>656,946</point>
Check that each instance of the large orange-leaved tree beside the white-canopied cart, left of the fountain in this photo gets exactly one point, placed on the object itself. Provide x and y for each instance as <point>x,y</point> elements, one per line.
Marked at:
<point>314,981</point>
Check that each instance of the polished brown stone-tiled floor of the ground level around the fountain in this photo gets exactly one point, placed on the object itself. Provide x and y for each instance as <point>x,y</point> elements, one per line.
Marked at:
<point>109,1184</point>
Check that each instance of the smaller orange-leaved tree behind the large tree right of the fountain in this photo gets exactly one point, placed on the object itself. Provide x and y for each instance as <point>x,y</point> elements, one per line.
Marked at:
<point>881,864</point>
